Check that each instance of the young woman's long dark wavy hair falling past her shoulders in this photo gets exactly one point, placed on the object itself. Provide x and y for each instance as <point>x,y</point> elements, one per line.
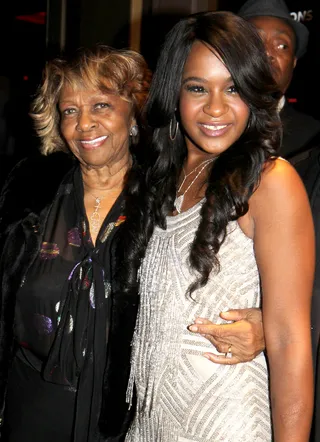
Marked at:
<point>234,175</point>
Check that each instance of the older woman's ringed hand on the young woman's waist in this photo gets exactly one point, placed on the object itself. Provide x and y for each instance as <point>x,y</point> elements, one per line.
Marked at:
<point>240,341</point>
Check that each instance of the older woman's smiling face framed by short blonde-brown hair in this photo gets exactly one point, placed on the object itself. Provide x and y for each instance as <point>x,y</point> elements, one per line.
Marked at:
<point>95,125</point>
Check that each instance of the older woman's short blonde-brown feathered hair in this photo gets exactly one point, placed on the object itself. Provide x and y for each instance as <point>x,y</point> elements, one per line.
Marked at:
<point>123,72</point>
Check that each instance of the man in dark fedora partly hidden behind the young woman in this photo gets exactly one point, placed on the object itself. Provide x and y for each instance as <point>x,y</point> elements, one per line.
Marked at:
<point>286,42</point>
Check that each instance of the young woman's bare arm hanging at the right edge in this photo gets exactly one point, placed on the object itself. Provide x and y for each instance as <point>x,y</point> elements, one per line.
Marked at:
<point>284,247</point>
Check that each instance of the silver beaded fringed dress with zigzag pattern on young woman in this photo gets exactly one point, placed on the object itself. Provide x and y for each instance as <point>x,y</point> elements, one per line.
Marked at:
<point>182,396</point>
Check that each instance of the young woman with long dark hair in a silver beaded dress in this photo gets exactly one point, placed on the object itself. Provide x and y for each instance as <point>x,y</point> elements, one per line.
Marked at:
<point>224,215</point>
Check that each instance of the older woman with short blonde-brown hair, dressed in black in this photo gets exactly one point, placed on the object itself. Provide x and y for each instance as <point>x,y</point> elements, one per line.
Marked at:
<point>58,218</point>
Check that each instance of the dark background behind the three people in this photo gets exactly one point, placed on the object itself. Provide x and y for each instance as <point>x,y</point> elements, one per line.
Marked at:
<point>30,34</point>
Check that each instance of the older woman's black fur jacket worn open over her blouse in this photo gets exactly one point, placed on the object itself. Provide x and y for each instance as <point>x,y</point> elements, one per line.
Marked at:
<point>24,207</point>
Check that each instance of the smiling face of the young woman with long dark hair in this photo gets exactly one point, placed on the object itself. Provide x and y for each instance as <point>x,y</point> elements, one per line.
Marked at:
<point>213,115</point>
